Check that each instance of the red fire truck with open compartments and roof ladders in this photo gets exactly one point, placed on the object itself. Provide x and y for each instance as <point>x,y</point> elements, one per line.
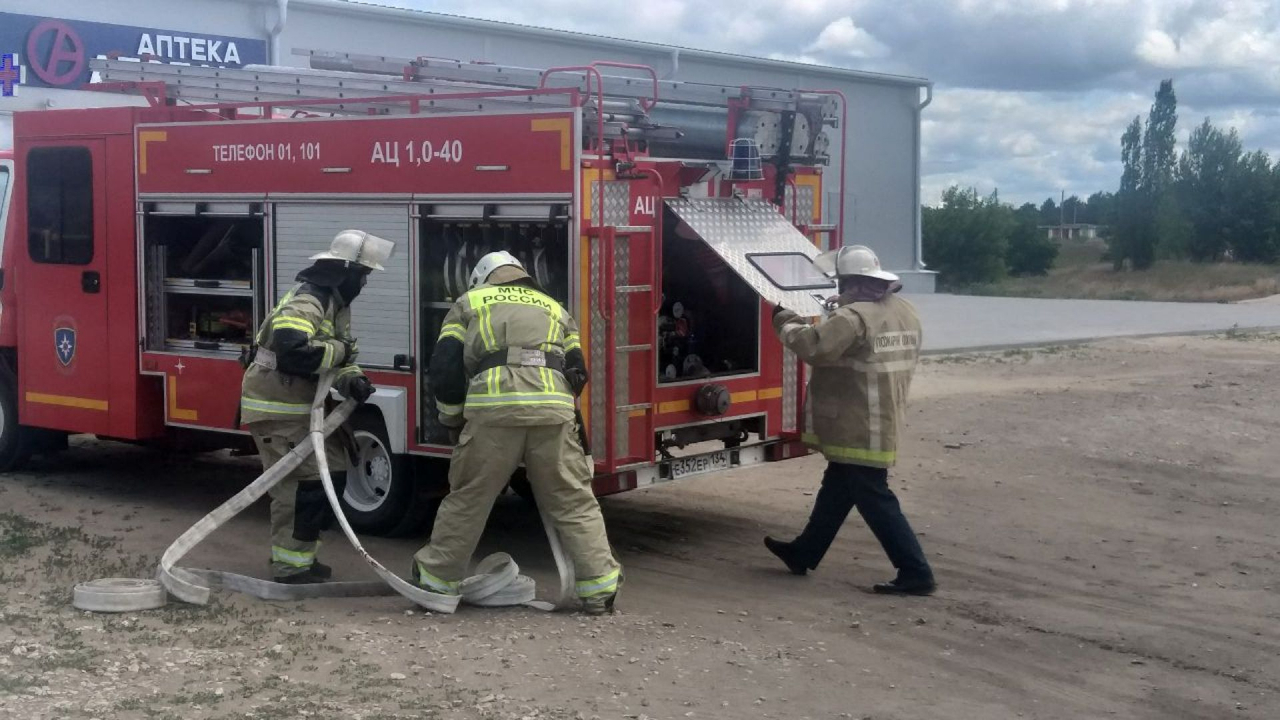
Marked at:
<point>143,248</point>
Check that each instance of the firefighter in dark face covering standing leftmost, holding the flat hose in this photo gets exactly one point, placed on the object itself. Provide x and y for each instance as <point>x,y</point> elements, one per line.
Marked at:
<point>308,334</point>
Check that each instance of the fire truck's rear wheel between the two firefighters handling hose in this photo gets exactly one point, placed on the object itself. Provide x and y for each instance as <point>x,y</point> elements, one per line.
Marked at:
<point>383,495</point>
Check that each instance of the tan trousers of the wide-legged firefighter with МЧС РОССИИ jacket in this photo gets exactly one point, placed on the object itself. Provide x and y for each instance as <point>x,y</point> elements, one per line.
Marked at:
<point>561,479</point>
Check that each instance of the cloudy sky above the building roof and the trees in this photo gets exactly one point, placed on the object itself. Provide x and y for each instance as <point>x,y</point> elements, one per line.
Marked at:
<point>1031,95</point>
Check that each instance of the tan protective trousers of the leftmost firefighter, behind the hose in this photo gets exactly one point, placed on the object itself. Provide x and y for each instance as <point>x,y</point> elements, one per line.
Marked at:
<point>275,440</point>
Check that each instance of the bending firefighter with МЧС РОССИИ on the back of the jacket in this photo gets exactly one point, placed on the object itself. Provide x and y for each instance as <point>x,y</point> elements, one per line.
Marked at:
<point>506,370</point>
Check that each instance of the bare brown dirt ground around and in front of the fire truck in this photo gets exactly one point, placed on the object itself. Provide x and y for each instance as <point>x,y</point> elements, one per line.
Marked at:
<point>1103,522</point>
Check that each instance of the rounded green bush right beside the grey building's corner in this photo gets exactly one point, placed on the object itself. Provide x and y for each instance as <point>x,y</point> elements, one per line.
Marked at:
<point>967,238</point>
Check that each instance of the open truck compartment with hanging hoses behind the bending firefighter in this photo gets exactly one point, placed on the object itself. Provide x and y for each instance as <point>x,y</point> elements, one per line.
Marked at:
<point>454,236</point>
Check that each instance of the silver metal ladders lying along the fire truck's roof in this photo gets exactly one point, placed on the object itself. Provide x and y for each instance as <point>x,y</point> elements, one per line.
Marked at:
<point>615,107</point>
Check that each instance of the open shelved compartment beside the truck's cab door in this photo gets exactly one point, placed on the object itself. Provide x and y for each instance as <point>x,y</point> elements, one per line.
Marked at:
<point>204,276</point>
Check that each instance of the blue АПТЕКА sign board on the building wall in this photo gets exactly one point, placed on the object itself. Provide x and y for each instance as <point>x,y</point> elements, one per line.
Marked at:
<point>57,52</point>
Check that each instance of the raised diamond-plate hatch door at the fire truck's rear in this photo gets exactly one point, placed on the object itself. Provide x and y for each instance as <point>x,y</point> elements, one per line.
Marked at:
<point>737,227</point>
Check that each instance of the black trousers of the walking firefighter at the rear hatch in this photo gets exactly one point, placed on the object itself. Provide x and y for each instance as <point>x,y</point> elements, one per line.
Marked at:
<point>845,487</point>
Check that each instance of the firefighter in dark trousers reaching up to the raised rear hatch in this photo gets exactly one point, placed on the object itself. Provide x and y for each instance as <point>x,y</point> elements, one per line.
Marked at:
<point>863,356</point>
